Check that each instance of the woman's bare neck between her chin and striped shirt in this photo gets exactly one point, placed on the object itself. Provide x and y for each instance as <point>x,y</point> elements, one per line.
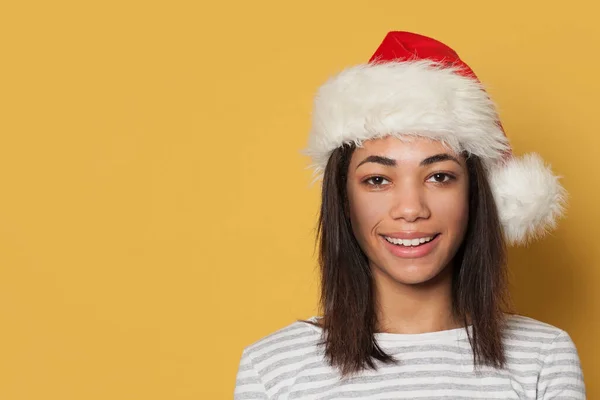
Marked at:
<point>418,308</point>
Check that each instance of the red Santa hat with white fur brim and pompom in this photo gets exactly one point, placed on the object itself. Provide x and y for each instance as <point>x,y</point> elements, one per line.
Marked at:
<point>417,86</point>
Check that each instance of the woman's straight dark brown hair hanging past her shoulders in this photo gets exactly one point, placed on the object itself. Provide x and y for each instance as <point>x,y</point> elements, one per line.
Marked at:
<point>347,301</point>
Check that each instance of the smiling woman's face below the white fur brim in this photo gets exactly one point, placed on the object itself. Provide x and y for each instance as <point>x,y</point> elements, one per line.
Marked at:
<point>414,194</point>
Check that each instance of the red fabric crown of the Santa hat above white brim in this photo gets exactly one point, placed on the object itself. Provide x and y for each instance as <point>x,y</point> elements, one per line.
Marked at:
<point>403,46</point>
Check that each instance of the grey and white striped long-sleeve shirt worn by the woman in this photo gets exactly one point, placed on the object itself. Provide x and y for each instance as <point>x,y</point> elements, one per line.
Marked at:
<point>542,363</point>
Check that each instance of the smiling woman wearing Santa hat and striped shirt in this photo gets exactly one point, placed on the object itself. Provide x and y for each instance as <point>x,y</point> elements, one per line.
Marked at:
<point>420,194</point>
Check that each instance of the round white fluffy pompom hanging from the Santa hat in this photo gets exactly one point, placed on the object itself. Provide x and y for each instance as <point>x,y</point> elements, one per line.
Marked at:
<point>529,198</point>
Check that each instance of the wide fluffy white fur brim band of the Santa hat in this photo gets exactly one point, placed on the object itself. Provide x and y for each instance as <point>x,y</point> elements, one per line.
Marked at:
<point>408,98</point>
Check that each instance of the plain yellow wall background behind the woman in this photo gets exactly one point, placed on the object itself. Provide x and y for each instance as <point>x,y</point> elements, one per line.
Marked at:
<point>155,213</point>
